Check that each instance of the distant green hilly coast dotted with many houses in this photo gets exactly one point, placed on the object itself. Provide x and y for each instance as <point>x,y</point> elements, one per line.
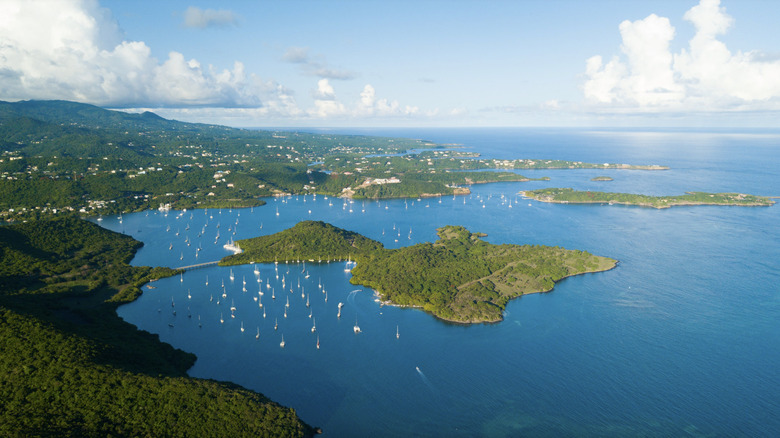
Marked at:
<point>59,156</point>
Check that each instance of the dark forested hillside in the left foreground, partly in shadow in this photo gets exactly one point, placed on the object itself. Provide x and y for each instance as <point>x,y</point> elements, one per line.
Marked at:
<point>70,367</point>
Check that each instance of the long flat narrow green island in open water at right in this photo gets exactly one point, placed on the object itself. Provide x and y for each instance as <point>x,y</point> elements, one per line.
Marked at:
<point>571,196</point>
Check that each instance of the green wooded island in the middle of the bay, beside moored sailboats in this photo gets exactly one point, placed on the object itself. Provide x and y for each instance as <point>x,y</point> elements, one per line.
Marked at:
<point>459,278</point>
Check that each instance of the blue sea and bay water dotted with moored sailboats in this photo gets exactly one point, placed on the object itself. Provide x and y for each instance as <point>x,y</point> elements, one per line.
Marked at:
<point>682,339</point>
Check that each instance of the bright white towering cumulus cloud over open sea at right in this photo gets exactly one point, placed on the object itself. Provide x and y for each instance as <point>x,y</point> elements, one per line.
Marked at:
<point>705,76</point>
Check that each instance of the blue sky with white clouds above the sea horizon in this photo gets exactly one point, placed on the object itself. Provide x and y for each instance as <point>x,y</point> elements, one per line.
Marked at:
<point>404,63</point>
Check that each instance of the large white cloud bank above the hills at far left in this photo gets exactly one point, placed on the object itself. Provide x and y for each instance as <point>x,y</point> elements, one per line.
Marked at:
<point>78,53</point>
